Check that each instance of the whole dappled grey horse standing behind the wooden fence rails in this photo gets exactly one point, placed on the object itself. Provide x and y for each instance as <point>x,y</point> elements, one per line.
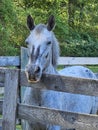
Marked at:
<point>43,53</point>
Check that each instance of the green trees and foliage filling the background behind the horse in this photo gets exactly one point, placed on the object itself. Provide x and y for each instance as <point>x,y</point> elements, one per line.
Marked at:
<point>76,24</point>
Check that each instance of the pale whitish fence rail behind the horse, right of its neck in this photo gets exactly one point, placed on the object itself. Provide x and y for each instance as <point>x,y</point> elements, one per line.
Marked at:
<point>78,61</point>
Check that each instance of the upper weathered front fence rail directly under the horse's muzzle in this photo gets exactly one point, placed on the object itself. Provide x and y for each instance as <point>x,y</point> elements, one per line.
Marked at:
<point>64,84</point>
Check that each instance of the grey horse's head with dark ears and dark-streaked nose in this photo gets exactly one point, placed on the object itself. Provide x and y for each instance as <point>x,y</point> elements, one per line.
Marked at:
<point>42,48</point>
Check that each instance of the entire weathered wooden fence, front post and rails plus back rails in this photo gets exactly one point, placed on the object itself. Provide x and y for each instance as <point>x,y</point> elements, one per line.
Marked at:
<point>12,109</point>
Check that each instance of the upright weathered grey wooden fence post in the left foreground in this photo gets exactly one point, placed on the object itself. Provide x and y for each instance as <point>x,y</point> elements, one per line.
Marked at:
<point>10,99</point>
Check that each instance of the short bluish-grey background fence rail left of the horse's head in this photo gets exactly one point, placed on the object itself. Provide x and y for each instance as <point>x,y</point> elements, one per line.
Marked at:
<point>9,61</point>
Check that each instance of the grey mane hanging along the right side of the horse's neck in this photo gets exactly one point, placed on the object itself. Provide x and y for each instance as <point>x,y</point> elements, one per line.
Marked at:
<point>55,51</point>
